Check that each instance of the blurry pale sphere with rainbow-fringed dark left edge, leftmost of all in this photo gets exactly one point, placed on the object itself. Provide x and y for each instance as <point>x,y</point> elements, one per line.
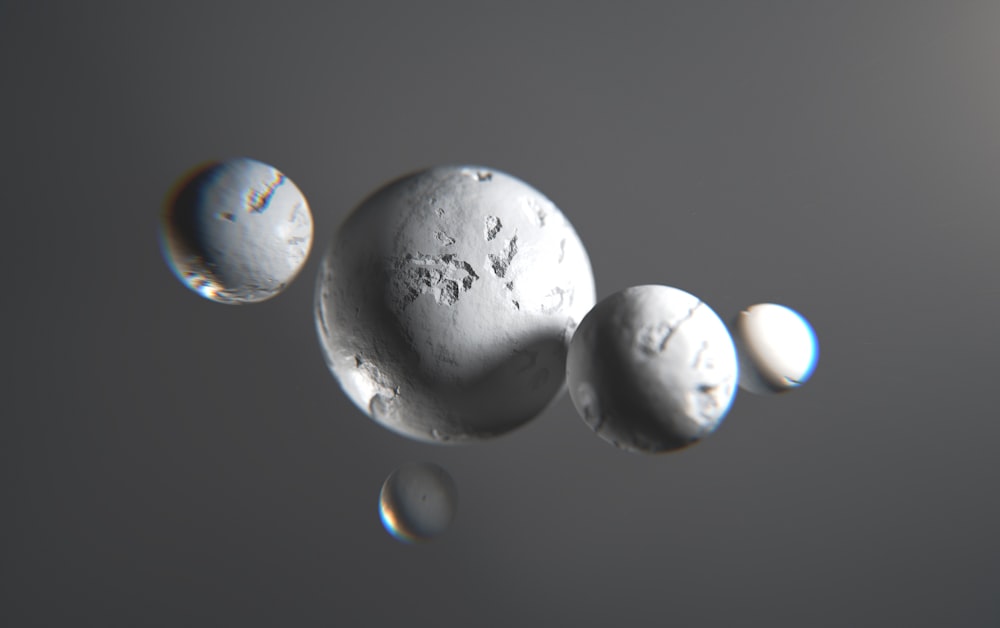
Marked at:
<point>236,231</point>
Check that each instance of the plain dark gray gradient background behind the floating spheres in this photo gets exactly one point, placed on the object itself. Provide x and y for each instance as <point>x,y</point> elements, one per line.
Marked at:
<point>167,461</point>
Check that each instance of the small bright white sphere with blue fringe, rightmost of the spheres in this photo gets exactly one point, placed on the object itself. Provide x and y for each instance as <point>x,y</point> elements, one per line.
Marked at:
<point>777,347</point>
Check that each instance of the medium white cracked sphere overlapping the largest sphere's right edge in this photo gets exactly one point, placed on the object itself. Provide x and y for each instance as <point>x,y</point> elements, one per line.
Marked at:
<point>652,369</point>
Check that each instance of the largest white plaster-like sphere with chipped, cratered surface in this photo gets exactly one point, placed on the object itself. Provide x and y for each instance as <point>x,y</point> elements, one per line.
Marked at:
<point>445,303</point>
